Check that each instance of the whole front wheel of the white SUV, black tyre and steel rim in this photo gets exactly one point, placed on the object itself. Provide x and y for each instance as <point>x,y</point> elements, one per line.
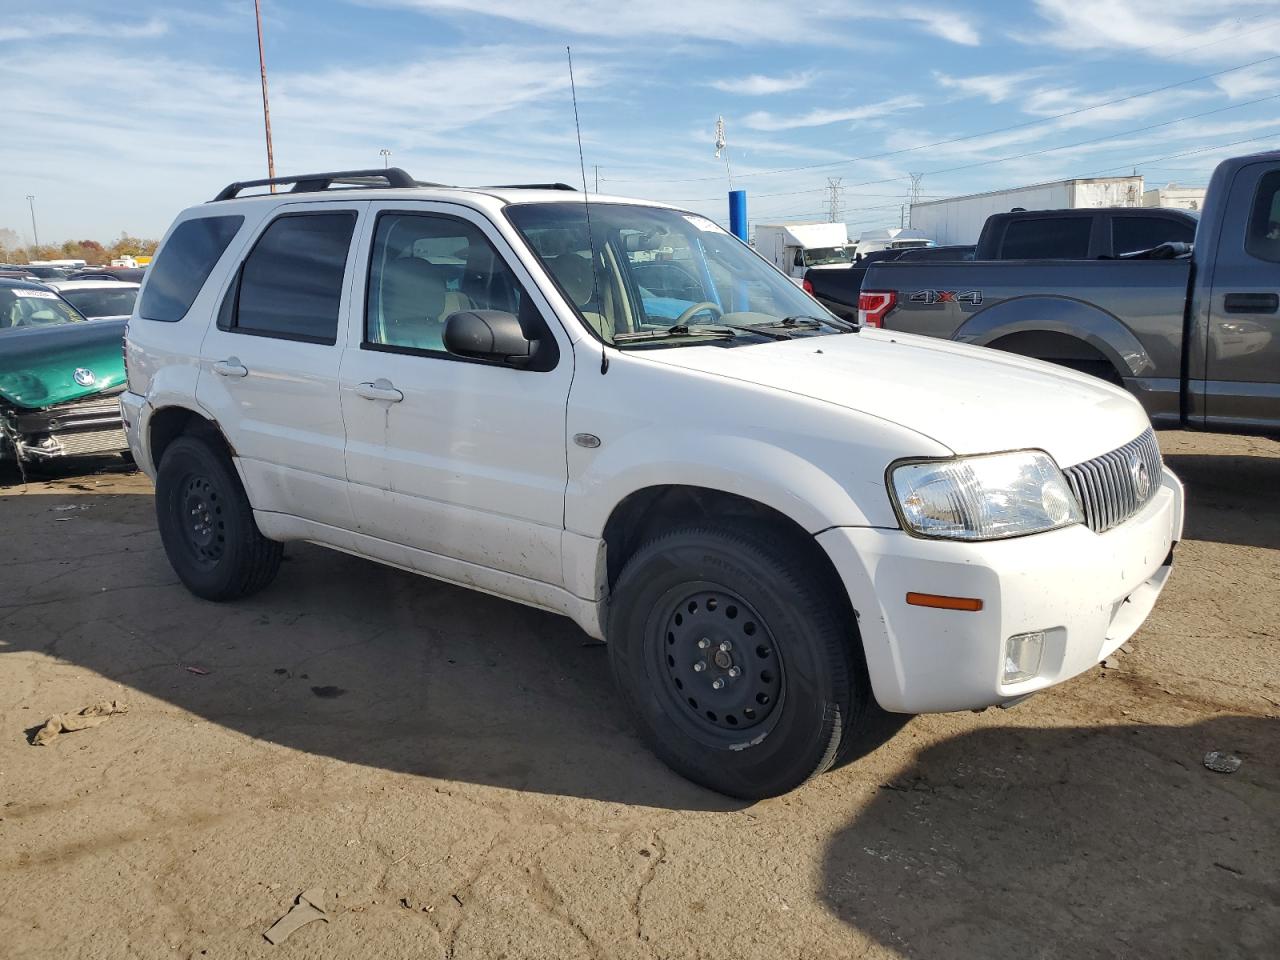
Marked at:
<point>735,660</point>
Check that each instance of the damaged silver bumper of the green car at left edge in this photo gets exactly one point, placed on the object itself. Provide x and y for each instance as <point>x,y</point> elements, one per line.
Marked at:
<point>81,428</point>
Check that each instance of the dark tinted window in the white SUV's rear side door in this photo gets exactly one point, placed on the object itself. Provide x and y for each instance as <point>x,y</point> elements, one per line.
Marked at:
<point>291,284</point>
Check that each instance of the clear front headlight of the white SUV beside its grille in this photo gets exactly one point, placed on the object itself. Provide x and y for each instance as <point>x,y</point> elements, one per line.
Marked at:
<point>984,499</point>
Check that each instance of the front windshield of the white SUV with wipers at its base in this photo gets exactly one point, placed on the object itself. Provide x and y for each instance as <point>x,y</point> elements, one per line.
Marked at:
<point>641,276</point>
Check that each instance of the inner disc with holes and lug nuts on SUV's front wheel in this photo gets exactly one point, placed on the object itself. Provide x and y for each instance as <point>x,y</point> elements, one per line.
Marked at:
<point>721,661</point>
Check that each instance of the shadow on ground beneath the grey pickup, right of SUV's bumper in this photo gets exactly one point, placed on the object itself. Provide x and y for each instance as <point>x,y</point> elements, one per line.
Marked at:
<point>1231,500</point>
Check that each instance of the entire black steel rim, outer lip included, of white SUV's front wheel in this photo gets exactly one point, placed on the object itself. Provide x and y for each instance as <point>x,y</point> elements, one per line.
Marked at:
<point>716,662</point>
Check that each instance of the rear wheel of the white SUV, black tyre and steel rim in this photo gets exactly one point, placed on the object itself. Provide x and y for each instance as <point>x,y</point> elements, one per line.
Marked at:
<point>207,524</point>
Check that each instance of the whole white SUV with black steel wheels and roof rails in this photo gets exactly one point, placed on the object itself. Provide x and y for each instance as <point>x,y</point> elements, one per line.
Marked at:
<point>618,412</point>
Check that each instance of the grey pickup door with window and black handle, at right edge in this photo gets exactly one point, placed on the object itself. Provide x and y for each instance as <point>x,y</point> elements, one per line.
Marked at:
<point>1244,359</point>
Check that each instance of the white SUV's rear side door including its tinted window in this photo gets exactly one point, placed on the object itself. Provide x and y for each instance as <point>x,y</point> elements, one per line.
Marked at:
<point>269,367</point>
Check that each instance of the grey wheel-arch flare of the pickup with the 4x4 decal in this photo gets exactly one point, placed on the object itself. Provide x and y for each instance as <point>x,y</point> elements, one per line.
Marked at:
<point>1062,316</point>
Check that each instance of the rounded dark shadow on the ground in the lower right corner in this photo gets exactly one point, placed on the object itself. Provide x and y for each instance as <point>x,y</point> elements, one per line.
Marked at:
<point>968,853</point>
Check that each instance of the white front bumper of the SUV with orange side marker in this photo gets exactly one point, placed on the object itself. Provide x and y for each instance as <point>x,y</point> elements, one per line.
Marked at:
<point>1087,592</point>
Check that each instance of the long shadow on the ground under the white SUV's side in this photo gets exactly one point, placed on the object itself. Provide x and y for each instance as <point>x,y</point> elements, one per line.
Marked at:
<point>341,657</point>
